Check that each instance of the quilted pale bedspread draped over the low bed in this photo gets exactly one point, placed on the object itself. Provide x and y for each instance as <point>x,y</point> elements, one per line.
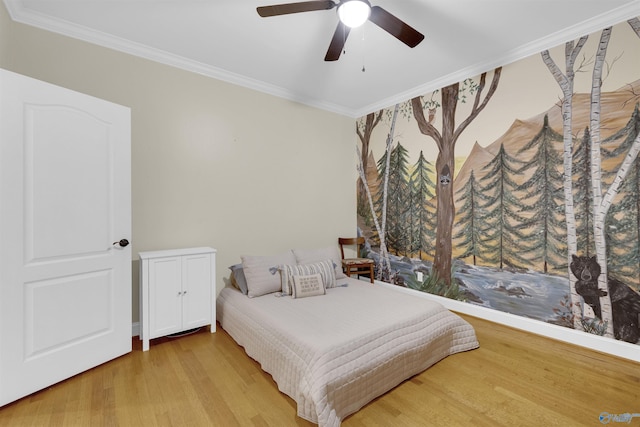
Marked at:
<point>334,353</point>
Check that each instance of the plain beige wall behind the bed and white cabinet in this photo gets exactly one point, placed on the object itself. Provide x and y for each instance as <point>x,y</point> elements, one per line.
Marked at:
<point>213,164</point>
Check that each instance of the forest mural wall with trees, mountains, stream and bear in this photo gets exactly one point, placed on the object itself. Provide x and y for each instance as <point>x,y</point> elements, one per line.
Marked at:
<point>517,190</point>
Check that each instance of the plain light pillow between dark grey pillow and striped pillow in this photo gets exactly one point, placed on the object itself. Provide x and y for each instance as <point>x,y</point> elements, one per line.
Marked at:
<point>261,272</point>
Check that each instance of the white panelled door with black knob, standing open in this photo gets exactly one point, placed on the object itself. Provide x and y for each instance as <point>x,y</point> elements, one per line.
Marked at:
<point>65,199</point>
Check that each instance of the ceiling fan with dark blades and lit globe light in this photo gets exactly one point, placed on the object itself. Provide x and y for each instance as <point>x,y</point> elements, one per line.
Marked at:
<point>352,14</point>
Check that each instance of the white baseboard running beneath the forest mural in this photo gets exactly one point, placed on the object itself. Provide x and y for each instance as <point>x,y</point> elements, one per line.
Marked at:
<point>594,342</point>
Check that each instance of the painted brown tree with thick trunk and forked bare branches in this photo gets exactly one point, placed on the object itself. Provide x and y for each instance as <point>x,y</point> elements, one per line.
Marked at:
<point>445,140</point>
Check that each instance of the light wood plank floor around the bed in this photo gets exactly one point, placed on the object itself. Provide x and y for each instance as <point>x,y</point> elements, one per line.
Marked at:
<point>513,379</point>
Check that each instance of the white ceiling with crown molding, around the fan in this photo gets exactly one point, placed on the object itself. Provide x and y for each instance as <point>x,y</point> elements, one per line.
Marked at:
<point>284,55</point>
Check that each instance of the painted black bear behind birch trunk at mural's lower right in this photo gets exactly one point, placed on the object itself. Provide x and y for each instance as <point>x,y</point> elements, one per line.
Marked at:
<point>625,303</point>
